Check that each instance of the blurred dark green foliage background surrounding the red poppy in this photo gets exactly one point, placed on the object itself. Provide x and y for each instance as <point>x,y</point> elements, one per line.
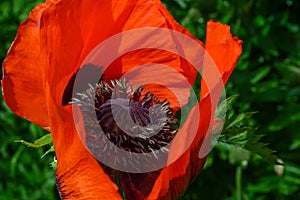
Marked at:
<point>266,78</point>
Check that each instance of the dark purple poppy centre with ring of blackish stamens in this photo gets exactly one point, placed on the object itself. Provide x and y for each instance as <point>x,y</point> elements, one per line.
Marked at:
<point>129,119</point>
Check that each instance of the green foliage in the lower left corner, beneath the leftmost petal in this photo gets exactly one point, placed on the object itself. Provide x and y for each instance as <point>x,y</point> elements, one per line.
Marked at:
<point>24,174</point>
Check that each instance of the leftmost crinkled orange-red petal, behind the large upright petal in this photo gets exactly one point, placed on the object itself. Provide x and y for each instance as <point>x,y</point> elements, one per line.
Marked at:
<point>22,82</point>
